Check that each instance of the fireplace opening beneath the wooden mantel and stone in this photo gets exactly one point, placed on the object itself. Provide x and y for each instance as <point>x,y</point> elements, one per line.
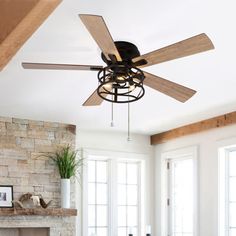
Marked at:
<point>24,231</point>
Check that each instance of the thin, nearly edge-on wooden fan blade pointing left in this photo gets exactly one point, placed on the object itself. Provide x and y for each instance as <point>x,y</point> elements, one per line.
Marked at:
<point>45,66</point>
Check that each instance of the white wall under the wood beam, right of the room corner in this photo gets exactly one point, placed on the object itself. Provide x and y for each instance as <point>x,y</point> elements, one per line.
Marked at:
<point>208,143</point>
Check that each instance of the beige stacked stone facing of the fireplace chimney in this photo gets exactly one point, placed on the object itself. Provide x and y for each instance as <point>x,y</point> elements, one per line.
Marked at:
<point>22,164</point>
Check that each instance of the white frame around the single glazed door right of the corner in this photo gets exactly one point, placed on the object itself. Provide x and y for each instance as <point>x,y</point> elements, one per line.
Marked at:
<point>178,154</point>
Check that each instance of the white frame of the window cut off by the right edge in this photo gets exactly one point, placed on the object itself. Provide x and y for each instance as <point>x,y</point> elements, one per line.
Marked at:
<point>223,188</point>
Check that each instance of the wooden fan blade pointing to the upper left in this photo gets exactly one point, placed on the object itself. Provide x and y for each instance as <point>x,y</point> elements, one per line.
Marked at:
<point>100,33</point>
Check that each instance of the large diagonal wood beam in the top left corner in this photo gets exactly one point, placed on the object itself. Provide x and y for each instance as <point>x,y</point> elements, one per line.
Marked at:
<point>25,18</point>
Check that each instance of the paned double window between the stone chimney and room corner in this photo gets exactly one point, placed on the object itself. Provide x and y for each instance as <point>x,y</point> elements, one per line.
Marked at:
<point>112,192</point>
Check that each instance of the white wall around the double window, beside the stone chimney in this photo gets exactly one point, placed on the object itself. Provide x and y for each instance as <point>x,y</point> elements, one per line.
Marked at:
<point>117,143</point>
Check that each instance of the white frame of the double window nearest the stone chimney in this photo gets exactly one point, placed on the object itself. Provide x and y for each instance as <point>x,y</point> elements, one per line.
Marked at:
<point>113,158</point>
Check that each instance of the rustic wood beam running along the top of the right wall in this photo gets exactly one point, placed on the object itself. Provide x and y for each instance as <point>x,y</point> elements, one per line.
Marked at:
<point>216,122</point>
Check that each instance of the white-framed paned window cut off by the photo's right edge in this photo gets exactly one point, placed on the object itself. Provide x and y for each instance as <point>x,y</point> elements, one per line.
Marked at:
<point>227,191</point>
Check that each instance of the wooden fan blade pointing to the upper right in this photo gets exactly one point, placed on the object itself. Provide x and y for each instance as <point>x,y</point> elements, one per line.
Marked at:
<point>187,47</point>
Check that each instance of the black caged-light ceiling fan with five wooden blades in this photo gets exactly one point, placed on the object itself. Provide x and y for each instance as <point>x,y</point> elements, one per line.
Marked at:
<point>122,79</point>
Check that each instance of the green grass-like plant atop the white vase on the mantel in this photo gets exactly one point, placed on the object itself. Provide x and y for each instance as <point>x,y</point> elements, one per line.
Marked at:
<point>66,160</point>
